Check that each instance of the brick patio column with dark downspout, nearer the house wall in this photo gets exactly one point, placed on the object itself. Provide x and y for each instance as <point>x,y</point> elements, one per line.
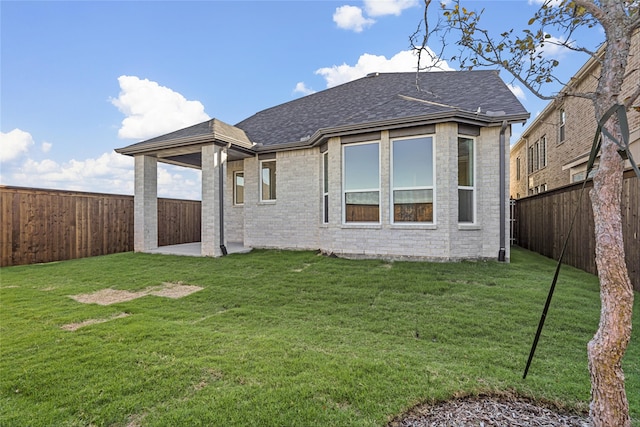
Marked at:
<point>213,160</point>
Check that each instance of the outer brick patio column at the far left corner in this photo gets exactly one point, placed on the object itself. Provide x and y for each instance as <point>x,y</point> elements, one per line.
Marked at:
<point>145,201</point>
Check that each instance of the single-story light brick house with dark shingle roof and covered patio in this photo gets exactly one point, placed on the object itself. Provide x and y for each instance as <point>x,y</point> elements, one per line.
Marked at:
<point>395,166</point>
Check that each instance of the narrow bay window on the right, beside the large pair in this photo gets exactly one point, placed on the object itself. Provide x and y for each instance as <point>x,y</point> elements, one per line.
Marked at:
<point>466,181</point>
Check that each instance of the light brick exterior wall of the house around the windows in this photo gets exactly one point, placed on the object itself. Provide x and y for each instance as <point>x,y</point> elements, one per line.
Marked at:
<point>294,219</point>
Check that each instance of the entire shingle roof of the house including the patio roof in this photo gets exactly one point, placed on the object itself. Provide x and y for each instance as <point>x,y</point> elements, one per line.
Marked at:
<point>359,104</point>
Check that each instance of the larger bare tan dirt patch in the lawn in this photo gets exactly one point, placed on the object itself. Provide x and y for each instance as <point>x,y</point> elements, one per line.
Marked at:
<point>114,296</point>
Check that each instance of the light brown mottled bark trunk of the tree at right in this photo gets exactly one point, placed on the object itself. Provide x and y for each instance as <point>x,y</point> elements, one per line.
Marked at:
<point>609,406</point>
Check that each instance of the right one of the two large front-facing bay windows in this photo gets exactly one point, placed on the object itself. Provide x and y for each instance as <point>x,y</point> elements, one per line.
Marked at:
<point>412,179</point>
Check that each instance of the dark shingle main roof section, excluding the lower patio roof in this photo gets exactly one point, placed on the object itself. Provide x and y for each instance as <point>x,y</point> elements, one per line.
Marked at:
<point>383,97</point>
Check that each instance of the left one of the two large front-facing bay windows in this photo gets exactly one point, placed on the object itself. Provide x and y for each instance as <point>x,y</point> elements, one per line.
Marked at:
<point>361,179</point>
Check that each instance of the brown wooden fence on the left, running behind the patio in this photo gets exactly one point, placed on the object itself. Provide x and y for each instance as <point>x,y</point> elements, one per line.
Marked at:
<point>52,225</point>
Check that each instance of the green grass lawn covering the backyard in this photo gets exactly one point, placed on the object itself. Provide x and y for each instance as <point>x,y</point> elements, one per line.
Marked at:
<point>290,339</point>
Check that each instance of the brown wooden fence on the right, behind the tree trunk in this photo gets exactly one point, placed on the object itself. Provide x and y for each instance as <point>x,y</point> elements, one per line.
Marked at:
<point>541,224</point>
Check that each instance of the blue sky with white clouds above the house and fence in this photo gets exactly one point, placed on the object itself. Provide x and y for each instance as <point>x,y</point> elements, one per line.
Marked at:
<point>81,78</point>
